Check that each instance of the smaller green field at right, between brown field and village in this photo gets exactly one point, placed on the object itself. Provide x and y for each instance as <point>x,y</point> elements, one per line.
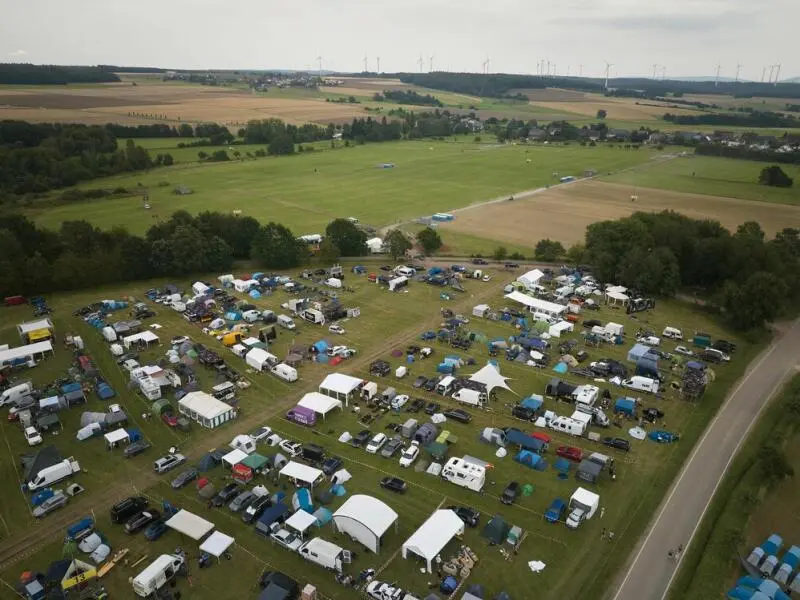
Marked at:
<point>713,176</point>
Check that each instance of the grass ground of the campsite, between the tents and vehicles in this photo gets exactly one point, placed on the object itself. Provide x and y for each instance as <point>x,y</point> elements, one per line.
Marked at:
<point>388,322</point>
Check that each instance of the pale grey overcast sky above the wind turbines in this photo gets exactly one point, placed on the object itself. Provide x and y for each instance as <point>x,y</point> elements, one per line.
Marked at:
<point>688,37</point>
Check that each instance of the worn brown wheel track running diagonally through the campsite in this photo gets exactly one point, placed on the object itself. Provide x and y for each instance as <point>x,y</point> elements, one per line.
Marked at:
<point>16,549</point>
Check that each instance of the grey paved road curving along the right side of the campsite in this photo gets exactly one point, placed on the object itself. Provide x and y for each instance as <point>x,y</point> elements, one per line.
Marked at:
<point>649,574</point>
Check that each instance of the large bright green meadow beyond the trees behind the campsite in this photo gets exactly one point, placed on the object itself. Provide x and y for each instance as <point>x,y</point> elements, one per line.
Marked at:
<point>307,191</point>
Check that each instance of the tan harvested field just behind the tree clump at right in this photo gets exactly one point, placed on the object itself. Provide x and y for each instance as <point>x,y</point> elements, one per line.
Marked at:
<point>562,213</point>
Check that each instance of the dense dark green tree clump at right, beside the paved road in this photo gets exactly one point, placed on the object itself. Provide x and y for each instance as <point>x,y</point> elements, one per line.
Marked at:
<point>750,278</point>
